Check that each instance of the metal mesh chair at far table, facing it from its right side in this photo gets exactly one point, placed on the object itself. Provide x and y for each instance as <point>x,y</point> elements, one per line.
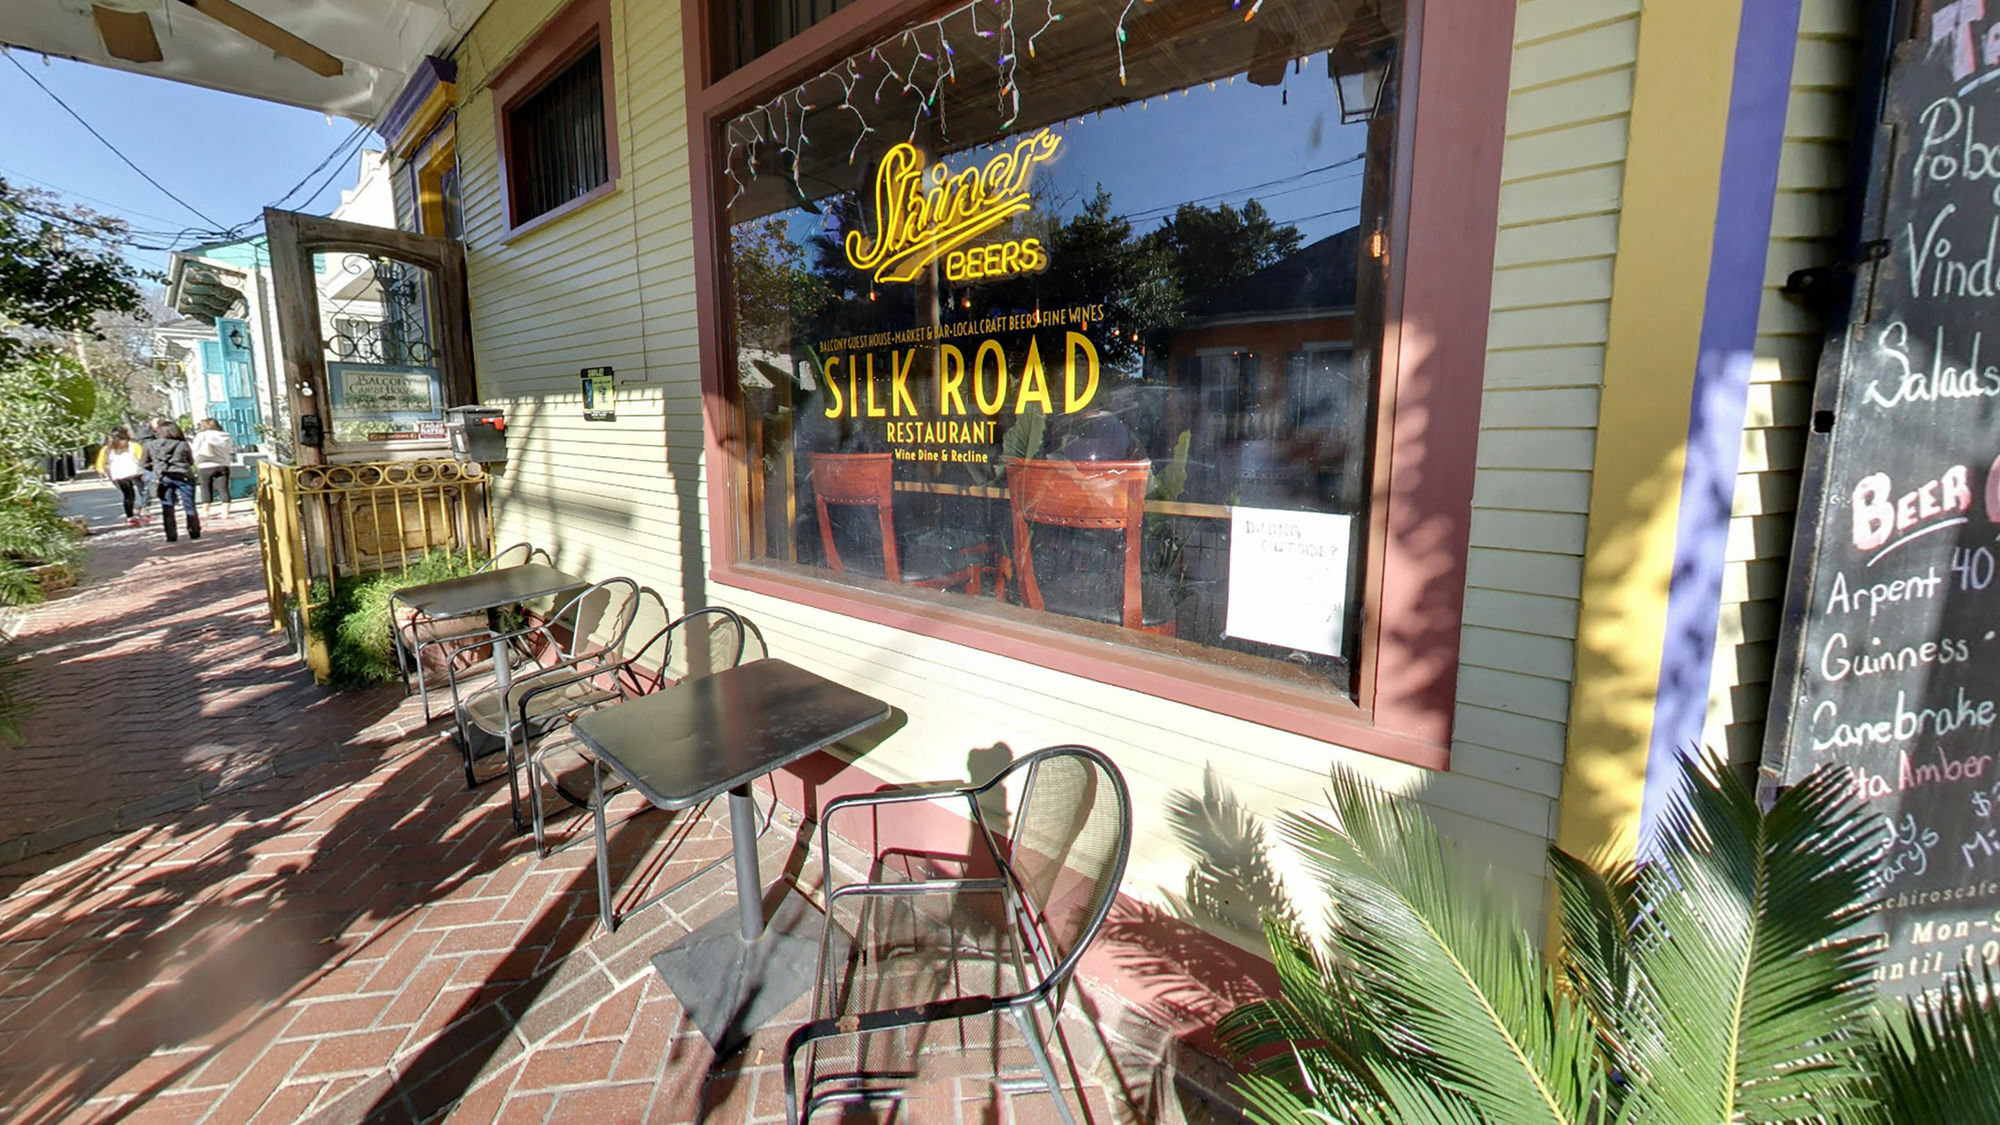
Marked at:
<point>579,650</point>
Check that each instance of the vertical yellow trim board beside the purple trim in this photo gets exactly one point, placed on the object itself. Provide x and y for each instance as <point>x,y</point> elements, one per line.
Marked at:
<point>1681,103</point>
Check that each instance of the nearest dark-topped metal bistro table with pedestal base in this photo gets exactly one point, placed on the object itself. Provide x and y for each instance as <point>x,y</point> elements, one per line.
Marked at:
<point>717,736</point>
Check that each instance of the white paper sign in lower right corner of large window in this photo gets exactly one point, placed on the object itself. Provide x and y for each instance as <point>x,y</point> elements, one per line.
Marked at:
<point>1289,580</point>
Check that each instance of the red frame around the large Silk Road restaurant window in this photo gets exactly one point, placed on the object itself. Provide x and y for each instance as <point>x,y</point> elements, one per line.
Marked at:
<point>1429,407</point>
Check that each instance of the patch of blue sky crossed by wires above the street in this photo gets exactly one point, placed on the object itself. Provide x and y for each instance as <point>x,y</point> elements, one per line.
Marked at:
<point>221,153</point>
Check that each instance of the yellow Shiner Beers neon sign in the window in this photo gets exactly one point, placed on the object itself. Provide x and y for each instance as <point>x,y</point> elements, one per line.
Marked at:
<point>927,213</point>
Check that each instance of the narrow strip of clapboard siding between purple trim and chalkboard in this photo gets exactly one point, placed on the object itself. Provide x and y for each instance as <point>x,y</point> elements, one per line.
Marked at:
<point>1811,173</point>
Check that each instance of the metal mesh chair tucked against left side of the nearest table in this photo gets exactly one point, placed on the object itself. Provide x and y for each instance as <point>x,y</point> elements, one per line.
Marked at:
<point>689,648</point>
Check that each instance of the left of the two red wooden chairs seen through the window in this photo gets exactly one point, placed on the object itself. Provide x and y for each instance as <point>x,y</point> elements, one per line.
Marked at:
<point>939,559</point>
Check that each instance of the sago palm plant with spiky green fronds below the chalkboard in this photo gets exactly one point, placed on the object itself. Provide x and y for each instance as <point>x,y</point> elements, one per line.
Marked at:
<point>1727,982</point>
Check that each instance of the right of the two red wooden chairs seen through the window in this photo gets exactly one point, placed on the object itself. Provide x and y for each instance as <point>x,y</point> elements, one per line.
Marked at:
<point>1087,499</point>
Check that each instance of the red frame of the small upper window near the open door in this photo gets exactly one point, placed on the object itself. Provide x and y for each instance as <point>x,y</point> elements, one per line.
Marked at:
<point>553,49</point>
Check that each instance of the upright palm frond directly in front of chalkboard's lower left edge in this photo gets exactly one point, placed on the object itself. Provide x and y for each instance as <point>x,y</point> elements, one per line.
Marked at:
<point>1753,990</point>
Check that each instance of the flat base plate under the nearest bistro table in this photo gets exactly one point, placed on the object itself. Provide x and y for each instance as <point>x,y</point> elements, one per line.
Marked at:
<point>731,986</point>
